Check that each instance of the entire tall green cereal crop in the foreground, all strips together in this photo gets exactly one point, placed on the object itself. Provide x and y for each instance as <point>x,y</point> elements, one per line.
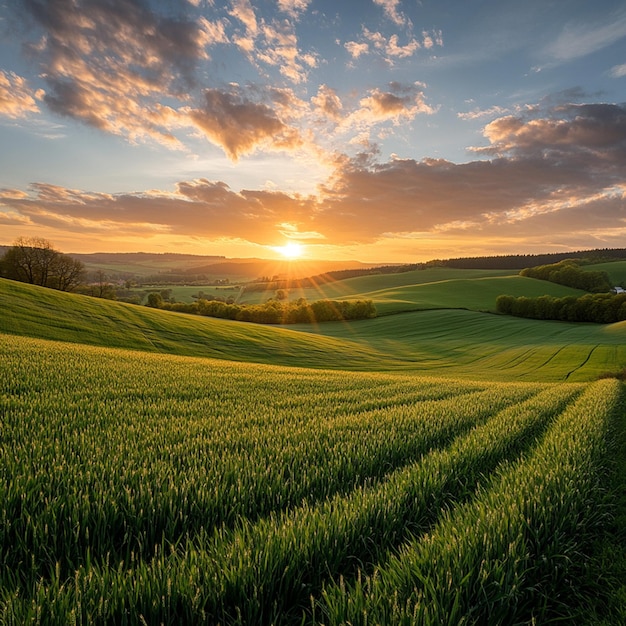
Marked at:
<point>142,488</point>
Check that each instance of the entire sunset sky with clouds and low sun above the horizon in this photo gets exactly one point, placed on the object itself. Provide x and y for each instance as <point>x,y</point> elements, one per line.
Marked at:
<point>371,130</point>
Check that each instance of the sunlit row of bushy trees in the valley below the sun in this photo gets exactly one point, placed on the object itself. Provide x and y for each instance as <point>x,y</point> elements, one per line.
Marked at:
<point>274,311</point>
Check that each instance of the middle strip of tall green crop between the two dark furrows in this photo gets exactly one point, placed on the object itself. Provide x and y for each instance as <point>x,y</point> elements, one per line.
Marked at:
<point>266,571</point>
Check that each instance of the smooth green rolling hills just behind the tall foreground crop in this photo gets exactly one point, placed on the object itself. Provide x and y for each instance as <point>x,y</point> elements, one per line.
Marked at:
<point>458,342</point>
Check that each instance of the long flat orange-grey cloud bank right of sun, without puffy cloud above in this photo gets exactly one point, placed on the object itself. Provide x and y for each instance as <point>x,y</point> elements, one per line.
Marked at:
<point>503,198</point>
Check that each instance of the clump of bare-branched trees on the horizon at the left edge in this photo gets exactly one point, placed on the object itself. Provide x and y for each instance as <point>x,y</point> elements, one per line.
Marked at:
<point>33,260</point>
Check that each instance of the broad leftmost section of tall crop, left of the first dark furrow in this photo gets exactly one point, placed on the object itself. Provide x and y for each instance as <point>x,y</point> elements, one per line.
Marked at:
<point>108,452</point>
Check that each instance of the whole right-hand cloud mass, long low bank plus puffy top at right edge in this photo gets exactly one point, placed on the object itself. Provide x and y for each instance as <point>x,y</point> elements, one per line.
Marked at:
<point>560,162</point>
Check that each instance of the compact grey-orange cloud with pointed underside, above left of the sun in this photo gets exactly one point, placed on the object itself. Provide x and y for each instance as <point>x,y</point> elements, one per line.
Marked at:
<point>239,125</point>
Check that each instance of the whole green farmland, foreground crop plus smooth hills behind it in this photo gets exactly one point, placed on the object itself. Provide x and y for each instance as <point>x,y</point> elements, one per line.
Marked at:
<point>441,466</point>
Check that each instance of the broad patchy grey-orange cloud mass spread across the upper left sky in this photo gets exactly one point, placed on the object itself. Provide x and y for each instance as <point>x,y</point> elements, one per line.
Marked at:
<point>127,69</point>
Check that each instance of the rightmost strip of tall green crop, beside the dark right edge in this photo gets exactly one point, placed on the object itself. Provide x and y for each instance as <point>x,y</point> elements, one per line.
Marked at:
<point>506,556</point>
